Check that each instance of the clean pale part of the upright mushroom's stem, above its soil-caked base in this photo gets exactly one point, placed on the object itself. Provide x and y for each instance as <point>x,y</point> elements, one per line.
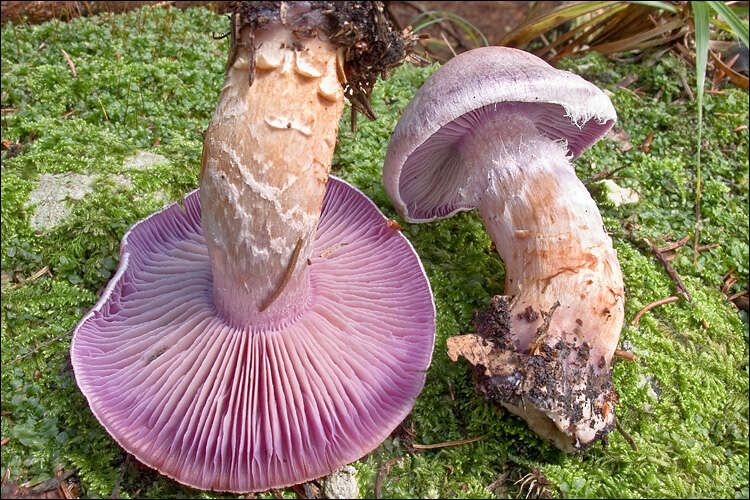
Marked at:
<point>550,236</point>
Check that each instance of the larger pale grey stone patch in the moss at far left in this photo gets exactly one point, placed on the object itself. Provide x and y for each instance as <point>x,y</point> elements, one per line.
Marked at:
<point>50,197</point>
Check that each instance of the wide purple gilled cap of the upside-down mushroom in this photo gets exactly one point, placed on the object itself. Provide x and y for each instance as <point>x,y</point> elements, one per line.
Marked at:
<point>237,409</point>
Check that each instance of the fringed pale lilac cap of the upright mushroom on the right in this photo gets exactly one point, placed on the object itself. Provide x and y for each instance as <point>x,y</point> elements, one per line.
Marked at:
<point>423,174</point>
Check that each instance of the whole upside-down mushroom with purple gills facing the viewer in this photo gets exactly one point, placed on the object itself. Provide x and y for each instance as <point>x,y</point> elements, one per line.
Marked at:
<point>272,327</point>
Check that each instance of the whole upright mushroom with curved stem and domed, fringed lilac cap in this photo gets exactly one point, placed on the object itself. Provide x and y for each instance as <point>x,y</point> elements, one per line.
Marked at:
<point>496,129</point>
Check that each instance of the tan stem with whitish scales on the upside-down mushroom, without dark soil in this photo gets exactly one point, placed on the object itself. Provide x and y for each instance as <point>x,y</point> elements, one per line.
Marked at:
<point>266,160</point>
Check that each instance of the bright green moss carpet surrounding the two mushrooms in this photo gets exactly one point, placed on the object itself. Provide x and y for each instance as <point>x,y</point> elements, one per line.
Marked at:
<point>157,74</point>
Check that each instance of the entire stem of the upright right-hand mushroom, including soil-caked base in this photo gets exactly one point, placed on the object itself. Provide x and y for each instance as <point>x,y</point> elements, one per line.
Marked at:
<point>550,235</point>
